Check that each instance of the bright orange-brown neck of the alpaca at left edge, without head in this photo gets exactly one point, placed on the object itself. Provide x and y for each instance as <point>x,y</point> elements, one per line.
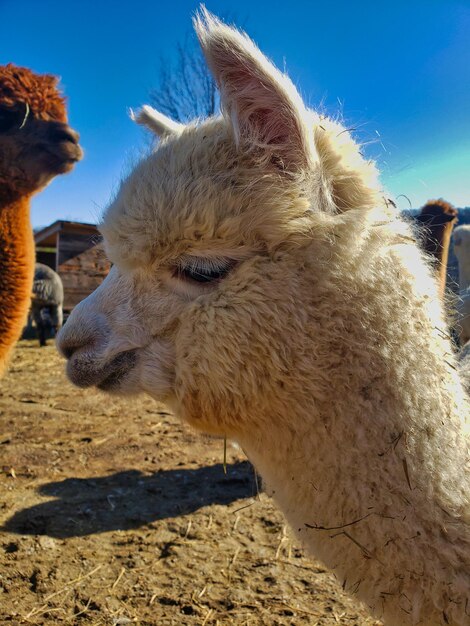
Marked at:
<point>16,271</point>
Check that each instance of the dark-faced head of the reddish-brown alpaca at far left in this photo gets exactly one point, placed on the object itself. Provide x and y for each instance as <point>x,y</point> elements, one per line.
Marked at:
<point>36,142</point>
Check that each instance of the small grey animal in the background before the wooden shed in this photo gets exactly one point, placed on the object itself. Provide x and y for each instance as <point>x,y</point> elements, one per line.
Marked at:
<point>48,300</point>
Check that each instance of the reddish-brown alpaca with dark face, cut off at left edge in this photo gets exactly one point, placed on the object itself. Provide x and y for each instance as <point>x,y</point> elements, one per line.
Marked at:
<point>36,144</point>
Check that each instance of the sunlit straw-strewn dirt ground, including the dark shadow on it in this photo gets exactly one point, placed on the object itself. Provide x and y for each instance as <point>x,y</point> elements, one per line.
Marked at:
<point>113,512</point>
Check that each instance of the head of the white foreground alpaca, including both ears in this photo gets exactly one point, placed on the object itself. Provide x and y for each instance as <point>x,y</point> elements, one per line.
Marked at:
<point>216,238</point>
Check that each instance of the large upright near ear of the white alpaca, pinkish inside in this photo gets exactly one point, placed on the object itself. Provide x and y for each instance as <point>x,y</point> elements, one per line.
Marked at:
<point>263,105</point>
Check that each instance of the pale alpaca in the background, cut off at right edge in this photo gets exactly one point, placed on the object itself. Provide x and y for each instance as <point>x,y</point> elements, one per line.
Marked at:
<point>462,252</point>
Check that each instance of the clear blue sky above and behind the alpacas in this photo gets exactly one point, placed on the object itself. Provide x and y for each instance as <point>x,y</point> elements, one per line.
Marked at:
<point>397,71</point>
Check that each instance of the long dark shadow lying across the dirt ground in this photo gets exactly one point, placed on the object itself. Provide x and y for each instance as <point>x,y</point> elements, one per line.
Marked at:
<point>130,499</point>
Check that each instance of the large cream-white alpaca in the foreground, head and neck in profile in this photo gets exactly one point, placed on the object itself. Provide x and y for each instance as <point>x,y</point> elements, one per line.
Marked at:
<point>265,290</point>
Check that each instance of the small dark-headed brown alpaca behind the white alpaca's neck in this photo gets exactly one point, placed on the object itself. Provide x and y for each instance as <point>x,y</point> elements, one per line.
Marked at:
<point>438,219</point>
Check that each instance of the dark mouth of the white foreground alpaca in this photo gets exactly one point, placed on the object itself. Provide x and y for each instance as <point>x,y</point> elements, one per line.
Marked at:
<point>108,377</point>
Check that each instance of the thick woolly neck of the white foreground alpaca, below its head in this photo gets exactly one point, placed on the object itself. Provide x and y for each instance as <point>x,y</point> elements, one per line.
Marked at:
<point>369,465</point>
